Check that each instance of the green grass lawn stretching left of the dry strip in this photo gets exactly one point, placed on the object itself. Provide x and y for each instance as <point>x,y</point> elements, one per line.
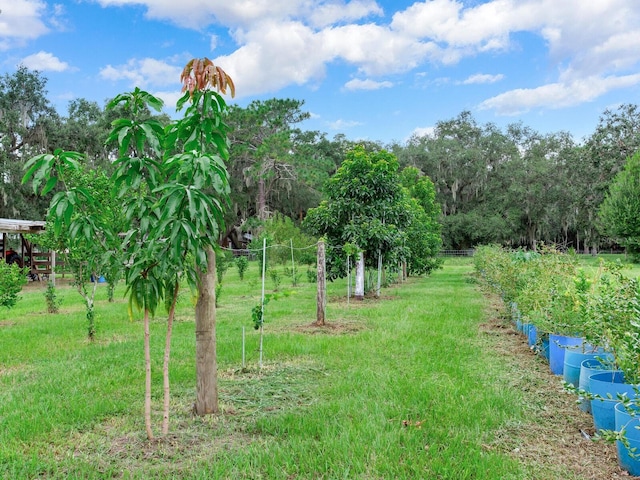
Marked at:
<point>405,386</point>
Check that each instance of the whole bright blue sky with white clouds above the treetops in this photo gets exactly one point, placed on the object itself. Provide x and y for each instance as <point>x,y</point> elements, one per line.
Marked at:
<point>378,70</point>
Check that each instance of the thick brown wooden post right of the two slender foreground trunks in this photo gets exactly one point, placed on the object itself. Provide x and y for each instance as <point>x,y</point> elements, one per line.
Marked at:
<point>206,362</point>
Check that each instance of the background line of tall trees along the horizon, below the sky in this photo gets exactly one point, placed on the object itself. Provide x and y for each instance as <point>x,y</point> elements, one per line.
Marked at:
<point>513,186</point>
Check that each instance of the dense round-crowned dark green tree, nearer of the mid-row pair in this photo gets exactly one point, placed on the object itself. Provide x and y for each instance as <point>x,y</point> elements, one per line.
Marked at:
<point>366,206</point>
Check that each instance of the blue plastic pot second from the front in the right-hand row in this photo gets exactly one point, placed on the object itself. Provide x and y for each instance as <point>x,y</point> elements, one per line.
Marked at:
<point>607,386</point>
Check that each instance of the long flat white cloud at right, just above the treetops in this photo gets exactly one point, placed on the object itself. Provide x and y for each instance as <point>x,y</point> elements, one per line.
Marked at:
<point>557,95</point>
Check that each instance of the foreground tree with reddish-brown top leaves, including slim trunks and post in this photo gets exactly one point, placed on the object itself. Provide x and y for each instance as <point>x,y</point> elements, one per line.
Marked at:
<point>173,221</point>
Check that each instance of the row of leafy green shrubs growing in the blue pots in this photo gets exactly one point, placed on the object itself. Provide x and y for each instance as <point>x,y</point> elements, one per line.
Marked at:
<point>552,292</point>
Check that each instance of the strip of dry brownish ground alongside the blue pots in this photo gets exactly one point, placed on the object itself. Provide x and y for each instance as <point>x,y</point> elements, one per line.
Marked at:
<point>558,436</point>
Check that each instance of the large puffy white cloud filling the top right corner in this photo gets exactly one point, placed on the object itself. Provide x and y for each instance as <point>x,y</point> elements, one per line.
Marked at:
<point>580,33</point>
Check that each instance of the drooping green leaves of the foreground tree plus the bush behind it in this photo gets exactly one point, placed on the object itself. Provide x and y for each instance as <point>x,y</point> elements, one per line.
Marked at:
<point>167,195</point>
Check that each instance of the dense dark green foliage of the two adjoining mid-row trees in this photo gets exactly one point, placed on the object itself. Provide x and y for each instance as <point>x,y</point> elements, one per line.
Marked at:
<point>367,207</point>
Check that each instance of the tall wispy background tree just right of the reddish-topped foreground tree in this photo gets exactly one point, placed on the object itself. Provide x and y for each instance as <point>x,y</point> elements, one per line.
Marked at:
<point>275,167</point>
